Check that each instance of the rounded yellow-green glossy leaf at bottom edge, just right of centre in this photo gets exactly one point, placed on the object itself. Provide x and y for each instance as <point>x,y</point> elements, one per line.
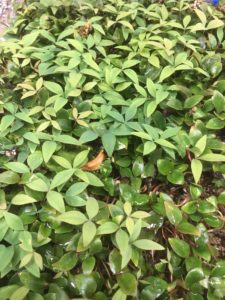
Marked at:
<point>128,283</point>
